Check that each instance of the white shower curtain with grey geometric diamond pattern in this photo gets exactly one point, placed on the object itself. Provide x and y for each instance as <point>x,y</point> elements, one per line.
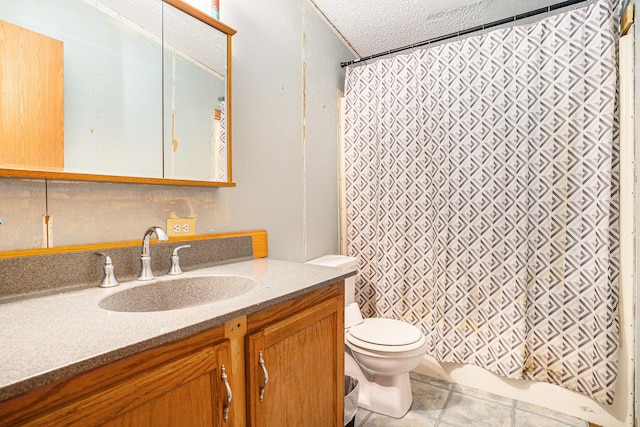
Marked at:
<point>482,197</point>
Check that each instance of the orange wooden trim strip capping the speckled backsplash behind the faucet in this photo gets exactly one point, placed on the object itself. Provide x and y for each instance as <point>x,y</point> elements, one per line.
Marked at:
<point>259,240</point>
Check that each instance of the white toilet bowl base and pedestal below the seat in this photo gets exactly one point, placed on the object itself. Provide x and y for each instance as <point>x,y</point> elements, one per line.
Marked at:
<point>386,395</point>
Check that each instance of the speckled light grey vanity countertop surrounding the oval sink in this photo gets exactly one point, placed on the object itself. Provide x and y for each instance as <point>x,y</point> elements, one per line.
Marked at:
<point>49,338</point>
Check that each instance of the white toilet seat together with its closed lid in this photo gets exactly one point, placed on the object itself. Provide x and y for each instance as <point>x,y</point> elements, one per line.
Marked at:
<point>385,335</point>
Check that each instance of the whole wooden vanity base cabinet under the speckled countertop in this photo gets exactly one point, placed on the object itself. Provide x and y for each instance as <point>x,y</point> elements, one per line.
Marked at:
<point>182,383</point>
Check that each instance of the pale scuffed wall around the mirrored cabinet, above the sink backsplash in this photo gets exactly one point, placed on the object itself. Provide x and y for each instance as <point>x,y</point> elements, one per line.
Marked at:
<point>281,110</point>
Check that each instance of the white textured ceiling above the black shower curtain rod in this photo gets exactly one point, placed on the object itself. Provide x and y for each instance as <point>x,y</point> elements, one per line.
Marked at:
<point>373,26</point>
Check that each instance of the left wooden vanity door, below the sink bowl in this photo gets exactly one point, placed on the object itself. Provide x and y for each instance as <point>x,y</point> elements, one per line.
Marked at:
<point>188,391</point>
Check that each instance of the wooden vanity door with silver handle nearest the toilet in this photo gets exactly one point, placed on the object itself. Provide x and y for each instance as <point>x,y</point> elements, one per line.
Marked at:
<point>303,356</point>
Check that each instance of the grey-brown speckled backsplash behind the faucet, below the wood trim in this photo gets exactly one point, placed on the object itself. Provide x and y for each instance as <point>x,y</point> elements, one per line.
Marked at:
<point>29,276</point>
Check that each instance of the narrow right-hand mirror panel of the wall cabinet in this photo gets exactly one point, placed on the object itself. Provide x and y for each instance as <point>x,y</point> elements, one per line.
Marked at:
<point>194,98</point>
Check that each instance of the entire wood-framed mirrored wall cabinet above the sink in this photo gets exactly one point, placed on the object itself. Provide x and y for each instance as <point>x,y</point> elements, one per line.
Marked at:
<point>115,90</point>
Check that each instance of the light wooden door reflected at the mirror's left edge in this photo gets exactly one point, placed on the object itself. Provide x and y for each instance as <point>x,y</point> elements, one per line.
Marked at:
<point>31,100</point>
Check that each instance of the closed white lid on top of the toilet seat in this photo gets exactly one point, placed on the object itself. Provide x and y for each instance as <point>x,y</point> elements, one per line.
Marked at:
<point>386,332</point>
